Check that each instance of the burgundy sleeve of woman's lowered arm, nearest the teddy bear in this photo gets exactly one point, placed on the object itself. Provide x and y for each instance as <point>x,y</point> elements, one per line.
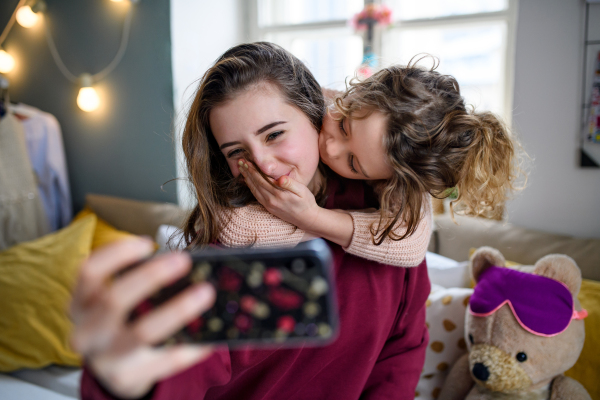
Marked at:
<point>398,367</point>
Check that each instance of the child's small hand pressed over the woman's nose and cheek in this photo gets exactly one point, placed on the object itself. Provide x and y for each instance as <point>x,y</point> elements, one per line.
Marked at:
<point>295,204</point>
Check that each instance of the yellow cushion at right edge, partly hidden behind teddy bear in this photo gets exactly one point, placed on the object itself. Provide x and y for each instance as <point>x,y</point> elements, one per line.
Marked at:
<point>585,371</point>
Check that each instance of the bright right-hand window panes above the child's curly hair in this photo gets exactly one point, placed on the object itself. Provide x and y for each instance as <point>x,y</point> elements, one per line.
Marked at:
<point>471,38</point>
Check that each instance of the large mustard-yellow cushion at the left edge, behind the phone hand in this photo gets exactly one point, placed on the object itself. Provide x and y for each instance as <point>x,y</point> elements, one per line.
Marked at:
<point>36,279</point>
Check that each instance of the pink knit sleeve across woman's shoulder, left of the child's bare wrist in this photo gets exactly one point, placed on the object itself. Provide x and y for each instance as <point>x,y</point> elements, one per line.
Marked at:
<point>253,225</point>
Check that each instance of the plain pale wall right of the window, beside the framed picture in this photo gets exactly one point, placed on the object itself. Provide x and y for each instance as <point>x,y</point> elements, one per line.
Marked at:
<point>561,196</point>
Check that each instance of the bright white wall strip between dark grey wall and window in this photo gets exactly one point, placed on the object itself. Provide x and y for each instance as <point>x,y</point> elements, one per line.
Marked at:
<point>201,30</point>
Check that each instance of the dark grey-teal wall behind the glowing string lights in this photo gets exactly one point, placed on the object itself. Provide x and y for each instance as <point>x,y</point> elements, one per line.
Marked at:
<point>125,147</point>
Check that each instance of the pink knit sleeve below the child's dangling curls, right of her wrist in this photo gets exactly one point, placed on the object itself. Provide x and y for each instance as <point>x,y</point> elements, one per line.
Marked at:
<point>408,252</point>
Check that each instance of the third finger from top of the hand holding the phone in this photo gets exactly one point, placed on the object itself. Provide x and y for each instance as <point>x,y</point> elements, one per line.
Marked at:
<point>173,315</point>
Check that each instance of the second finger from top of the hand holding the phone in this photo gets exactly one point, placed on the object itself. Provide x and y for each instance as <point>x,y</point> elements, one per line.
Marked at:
<point>147,279</point>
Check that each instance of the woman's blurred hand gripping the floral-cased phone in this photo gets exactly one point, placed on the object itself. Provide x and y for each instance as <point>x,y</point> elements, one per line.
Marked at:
<point>121,354</point>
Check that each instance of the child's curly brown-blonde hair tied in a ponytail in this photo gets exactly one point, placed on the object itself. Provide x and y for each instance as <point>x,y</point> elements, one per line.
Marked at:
<point>434,144</point>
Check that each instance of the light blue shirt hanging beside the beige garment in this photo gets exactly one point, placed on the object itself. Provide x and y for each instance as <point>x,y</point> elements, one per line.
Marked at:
<point>46,152</point>
